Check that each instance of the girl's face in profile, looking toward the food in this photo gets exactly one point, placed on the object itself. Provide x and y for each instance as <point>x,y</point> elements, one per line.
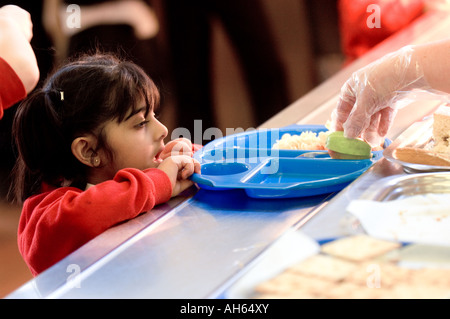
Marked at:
<point>136,142</point>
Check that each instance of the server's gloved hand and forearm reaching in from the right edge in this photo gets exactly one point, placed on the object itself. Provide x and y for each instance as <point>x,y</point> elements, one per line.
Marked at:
<point>367,103</point>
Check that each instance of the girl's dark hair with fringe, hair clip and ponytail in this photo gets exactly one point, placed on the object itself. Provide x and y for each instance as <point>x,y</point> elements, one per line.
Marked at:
<point>77,99</point>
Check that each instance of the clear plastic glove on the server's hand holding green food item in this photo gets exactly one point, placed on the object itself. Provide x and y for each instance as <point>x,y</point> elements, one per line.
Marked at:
<point>368,100</point>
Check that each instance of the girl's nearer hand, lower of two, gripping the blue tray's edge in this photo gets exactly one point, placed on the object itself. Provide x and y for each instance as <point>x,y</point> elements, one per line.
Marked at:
<point>179,168</point>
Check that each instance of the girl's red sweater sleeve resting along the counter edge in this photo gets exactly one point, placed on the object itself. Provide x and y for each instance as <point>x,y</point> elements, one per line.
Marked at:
<point>56,223</point>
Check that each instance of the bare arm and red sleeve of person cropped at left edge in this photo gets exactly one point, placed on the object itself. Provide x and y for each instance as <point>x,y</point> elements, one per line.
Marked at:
<point>18,65</point>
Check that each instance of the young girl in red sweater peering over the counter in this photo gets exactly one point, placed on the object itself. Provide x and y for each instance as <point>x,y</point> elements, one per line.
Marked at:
<point>91,155</point>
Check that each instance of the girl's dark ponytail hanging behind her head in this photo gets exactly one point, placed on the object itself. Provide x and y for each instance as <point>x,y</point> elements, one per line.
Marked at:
<point>43,146</point>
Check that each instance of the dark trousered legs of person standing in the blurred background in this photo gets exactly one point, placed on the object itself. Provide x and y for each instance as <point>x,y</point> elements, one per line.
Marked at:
<point>189,25</point>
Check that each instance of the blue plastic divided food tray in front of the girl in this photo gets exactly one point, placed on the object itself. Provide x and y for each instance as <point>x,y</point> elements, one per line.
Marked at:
<point>247,160</point>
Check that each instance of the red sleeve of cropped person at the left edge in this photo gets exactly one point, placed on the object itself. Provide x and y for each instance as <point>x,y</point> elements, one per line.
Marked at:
<point>11,87</point>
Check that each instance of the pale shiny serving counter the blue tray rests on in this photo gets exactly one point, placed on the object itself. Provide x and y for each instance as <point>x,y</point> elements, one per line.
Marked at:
<point>198,244</point>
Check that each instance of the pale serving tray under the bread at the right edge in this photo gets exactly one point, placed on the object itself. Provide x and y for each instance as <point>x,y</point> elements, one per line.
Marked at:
<point>418,135</point>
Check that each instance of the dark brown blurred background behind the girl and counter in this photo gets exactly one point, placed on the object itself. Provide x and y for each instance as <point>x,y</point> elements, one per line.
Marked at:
<point>228,63</point>
